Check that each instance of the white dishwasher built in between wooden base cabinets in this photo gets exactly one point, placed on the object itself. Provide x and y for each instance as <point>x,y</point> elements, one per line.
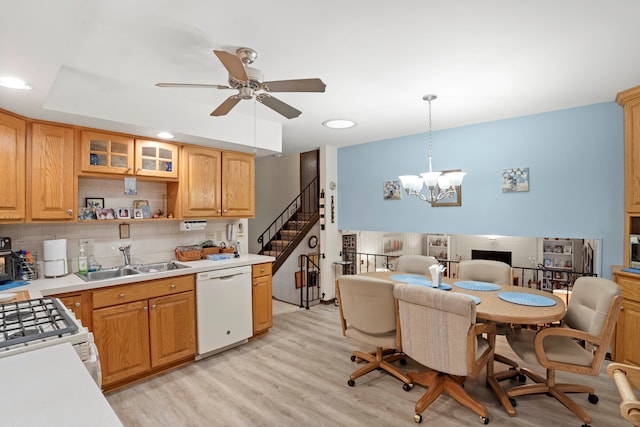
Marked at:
<point>224,309</point>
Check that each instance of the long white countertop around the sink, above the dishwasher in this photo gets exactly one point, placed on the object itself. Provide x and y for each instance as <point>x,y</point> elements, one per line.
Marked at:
<point>73,283</point>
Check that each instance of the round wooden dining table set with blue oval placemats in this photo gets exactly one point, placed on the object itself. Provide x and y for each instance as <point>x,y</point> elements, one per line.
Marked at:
<point>494,306</point>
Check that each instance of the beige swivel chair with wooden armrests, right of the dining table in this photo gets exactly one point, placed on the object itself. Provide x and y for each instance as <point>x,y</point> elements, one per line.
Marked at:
<point>590,318</point>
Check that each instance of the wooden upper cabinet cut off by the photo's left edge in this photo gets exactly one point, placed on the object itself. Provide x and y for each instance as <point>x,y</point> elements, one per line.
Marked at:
<point>12,163</point>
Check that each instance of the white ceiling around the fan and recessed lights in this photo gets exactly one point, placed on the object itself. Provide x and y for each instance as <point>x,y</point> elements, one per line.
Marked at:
<point>95,63</point>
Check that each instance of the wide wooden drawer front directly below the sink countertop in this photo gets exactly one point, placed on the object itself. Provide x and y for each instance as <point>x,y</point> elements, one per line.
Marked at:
<point>143,290</point>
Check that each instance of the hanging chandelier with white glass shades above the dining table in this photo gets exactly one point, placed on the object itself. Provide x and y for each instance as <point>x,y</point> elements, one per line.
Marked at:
<point>439,185</point>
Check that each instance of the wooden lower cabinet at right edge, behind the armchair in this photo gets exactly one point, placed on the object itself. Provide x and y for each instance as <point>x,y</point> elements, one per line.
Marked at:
<point>627,337</point>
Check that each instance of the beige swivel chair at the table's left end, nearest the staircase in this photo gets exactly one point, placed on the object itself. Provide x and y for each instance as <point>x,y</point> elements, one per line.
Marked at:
<point>368,315</point>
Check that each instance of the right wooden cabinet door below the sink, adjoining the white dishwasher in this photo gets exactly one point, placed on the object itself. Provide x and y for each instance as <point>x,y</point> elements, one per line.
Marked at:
<point>172,328</point>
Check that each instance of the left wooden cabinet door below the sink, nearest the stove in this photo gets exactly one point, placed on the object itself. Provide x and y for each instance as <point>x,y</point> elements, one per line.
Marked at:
<point>121,333</point>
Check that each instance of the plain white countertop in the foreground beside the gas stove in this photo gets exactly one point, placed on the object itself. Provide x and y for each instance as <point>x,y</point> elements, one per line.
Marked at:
<point>51,387</point>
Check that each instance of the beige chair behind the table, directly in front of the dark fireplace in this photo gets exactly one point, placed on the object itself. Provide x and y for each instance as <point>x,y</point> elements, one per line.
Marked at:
<point>499,273</point>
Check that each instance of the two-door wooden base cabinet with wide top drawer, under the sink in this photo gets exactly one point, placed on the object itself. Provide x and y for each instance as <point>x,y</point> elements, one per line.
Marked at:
<point>143,328</point>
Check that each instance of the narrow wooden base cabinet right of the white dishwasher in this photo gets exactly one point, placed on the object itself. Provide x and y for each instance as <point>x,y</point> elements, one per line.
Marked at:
<point>262,298</point>
